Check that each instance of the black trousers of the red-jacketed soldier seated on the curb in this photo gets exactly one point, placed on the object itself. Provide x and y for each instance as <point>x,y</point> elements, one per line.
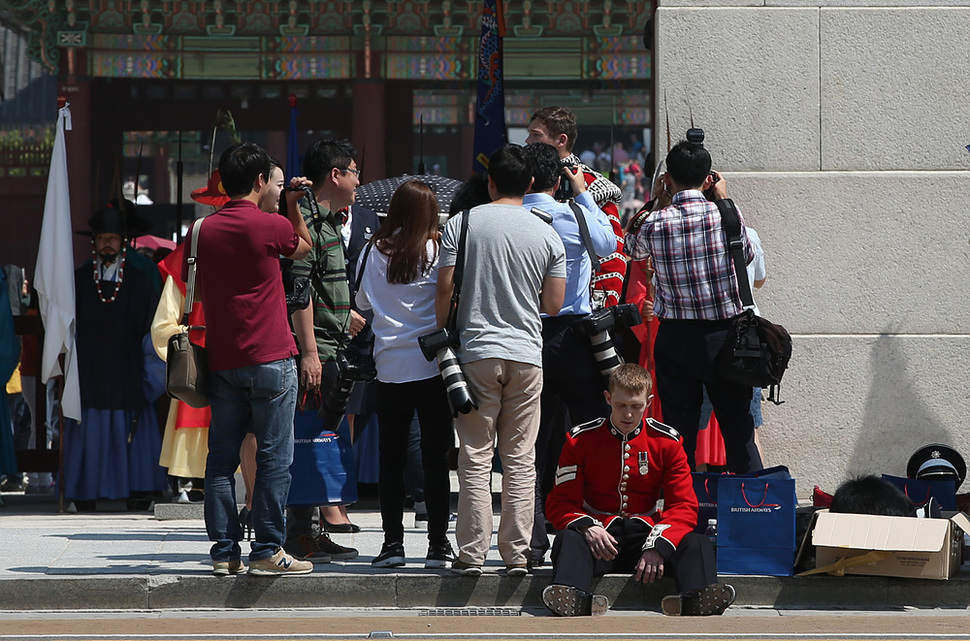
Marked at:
<point>692,564</point>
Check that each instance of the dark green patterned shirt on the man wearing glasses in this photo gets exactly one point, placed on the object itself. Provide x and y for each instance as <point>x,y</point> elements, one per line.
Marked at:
<point>329,289</point>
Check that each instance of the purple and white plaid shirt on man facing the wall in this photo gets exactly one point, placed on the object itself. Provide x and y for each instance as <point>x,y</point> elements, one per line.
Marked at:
<point>693,273</point>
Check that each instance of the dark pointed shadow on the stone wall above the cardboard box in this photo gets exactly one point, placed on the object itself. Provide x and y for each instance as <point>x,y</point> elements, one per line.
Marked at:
<point>897,419</point>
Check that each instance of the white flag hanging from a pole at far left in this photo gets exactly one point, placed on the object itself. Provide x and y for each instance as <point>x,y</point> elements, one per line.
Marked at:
<point>54,278</point>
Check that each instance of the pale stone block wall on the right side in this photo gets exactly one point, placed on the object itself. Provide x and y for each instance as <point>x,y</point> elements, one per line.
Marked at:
<point>840,127</point>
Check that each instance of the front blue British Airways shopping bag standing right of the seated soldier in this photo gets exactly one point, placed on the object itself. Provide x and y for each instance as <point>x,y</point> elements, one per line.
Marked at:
<point>756,526</point>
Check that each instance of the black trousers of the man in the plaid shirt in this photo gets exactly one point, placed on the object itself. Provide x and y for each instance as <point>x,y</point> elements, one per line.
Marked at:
<point>686,356</point>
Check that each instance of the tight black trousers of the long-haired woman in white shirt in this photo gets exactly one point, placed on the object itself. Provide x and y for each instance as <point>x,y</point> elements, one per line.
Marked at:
<point>396,404</point>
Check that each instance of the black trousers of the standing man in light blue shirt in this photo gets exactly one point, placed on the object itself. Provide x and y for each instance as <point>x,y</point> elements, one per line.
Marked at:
<point>571,382</point>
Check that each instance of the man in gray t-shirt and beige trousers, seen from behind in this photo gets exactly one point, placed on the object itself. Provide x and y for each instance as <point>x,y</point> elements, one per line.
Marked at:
<point>515,268</point>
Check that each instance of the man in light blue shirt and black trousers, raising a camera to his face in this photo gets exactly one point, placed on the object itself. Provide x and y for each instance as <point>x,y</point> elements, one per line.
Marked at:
<point>571,376</point>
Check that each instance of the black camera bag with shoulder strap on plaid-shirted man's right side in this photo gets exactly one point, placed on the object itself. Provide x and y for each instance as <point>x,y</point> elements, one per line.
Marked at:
<point>756,351</point>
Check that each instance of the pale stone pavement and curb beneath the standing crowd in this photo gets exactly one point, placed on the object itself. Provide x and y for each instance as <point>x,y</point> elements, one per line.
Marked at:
<point>128,560</point>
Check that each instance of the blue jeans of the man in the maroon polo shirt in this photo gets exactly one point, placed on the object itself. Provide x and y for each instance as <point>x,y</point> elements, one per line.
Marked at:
<point>259,399</point>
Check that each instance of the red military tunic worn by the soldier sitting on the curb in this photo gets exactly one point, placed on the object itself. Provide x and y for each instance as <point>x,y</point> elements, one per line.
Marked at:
<point>604,474</point>
